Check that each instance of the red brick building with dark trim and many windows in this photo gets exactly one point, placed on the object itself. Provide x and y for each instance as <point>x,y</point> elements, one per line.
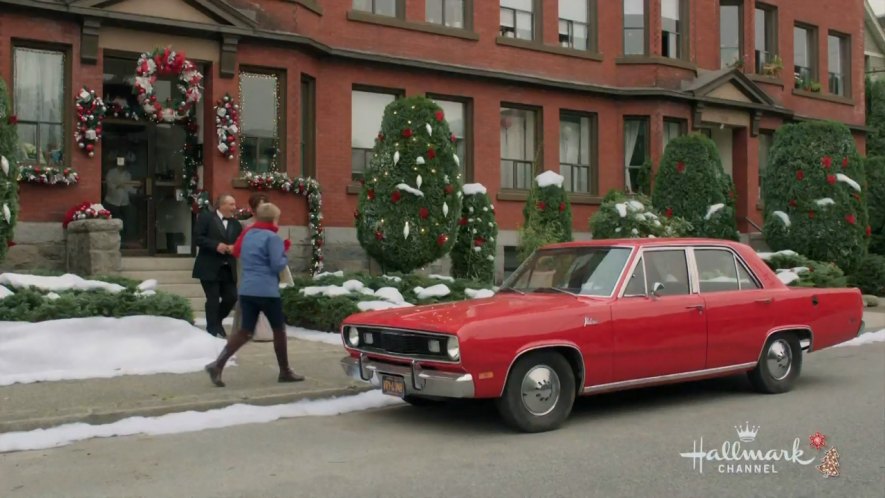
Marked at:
<point>589,88</point>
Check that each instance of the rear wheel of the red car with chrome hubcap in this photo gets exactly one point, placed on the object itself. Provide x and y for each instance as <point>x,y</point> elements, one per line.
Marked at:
<point>779,365</point>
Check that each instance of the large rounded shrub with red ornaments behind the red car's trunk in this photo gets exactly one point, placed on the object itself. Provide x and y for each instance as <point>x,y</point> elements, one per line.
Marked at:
<point>813,194</point>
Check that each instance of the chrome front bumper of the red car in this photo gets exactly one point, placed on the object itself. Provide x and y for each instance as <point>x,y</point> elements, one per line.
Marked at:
<point>417,381</point>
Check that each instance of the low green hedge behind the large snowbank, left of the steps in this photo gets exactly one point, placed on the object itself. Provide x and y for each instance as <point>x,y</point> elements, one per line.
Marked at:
<point>32,305</point>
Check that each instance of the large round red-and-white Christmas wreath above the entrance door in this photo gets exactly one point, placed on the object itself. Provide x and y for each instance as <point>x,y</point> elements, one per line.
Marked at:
<point>166,62</point>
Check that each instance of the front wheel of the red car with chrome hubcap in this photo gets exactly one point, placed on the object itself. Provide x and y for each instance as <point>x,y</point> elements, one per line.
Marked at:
<point>539,393</point>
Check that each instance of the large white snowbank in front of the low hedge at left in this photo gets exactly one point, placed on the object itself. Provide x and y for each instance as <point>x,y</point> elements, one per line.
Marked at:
<point>99,347</point>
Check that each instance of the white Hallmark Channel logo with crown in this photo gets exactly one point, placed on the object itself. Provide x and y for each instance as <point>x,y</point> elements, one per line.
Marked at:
<point>733,458</point>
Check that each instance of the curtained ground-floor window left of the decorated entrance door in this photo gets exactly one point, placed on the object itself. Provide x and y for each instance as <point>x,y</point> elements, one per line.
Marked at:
<point>39,99</point>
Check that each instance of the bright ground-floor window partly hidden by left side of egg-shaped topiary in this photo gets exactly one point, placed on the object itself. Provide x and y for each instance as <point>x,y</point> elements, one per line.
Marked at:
<point>367,111</point>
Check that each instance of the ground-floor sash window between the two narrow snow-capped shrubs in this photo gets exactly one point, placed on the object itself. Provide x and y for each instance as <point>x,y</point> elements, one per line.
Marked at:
<point>518,146</point>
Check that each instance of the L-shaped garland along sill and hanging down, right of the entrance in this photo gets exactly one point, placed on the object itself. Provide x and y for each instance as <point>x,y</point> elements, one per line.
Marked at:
<point>307,187</point>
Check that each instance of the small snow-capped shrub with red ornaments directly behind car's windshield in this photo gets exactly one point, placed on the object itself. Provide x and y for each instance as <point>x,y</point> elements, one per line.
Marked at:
<point>548,205</point>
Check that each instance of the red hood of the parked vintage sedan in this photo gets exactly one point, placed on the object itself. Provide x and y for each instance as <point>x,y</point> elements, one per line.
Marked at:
<point>451,317</point>
